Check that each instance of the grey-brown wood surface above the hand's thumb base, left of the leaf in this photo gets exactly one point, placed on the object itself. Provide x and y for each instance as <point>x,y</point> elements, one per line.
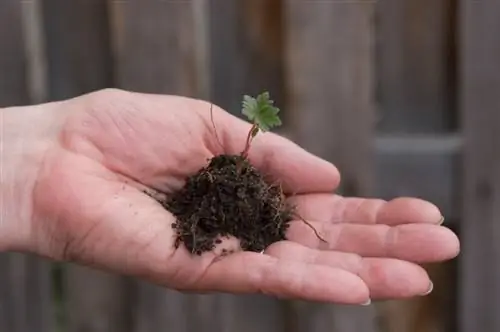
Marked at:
<point>154,49</point>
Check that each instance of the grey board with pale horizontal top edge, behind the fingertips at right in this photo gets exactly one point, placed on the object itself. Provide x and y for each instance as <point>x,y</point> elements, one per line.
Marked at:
<point>425,166</point>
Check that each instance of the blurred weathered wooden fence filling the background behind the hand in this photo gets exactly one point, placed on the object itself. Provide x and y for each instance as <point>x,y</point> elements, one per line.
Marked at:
<point>402,95</point>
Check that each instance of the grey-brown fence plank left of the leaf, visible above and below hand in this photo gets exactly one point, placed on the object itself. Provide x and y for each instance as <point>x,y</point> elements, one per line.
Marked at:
<point>153,45</point>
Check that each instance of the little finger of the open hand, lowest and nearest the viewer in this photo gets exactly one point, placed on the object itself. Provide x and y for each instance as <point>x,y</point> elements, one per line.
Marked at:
<point>248,272</point>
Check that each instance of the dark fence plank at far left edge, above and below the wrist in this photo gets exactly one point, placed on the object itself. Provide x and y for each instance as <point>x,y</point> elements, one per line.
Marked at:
<point>25,289</point>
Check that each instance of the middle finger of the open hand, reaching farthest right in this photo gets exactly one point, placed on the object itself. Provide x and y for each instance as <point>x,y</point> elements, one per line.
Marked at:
<point>413,242</point>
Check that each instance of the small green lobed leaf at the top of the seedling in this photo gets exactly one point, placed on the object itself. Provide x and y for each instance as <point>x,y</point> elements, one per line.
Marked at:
<point>261,111</point>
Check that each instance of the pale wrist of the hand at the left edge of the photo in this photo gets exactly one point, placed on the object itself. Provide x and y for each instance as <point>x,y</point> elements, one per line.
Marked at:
<point>25,135</point>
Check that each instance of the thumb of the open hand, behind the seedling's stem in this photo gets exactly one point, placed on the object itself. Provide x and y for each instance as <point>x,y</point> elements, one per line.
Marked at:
<point>279,158</point>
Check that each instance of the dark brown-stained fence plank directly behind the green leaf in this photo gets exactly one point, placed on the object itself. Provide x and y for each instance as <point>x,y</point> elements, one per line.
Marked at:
<point>246,57</point>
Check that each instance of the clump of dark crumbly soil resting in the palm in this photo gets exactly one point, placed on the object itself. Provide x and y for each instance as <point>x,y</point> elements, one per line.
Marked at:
<point>229,197</point>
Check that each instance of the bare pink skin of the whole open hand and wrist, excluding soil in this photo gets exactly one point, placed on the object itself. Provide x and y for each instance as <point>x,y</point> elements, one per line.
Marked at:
<point>72,190</point>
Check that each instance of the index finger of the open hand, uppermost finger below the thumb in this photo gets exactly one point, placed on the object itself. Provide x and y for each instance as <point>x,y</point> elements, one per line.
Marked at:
<point>336,209</point>
